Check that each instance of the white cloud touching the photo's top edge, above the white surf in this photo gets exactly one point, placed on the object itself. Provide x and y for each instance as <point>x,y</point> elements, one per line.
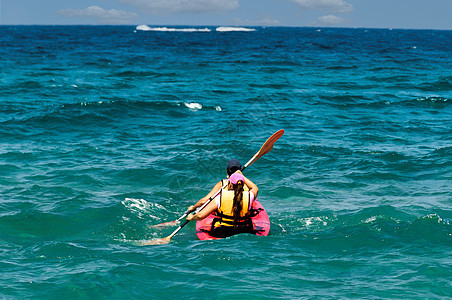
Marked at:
<point>183,6</point>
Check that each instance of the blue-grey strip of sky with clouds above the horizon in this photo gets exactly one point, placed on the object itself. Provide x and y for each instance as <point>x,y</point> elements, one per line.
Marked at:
<point>406,14</point>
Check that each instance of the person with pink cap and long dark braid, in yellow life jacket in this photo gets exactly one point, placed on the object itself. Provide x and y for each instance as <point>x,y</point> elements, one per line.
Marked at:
<point>231,207</point>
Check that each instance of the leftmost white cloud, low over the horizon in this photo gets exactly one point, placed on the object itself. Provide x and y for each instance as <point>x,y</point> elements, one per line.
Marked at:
<point>102,16</point>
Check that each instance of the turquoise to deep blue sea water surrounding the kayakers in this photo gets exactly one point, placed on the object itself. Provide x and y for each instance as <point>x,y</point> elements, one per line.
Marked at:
<point>106,131</point>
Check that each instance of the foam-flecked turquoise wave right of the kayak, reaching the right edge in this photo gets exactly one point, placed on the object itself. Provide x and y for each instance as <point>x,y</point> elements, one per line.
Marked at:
<point>382,223</point>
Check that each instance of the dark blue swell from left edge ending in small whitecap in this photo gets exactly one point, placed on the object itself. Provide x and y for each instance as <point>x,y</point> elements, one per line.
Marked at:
<point>104,115</point>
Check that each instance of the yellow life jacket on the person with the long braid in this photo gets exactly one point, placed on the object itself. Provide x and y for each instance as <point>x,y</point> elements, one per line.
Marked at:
<point>225,211</point>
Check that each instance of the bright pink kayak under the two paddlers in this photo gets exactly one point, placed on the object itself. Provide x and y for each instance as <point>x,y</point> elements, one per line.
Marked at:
<point>261,223</point>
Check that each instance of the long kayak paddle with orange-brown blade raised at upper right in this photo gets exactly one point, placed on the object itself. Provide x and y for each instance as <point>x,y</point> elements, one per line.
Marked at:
<point>267,147</point>
